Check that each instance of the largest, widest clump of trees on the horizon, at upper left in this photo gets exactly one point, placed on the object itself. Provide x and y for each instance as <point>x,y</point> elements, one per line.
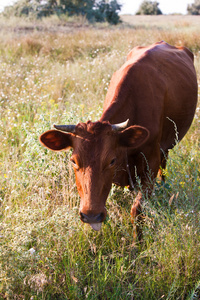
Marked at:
<point>98,11</point>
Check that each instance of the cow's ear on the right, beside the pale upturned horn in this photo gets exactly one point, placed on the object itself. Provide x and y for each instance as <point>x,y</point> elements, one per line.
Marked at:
<point>133,136</point>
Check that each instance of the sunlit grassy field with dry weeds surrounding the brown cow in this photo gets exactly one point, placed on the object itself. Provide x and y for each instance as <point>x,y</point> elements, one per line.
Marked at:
<point>58,71</point>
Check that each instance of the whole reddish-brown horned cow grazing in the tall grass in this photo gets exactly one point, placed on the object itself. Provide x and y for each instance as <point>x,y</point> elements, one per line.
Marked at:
<point>156,90</point>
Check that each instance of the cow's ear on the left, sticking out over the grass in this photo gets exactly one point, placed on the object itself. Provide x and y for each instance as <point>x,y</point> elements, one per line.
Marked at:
<point>56,140</point>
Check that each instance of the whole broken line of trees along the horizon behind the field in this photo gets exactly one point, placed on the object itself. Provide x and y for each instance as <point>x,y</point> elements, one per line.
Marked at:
<point>92,10</point>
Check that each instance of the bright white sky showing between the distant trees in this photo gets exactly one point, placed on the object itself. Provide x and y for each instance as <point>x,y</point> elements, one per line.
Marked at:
<point>131,6</point>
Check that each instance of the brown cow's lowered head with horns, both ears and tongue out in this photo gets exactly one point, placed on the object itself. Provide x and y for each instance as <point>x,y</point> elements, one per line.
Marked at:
<point>96,154</point>
